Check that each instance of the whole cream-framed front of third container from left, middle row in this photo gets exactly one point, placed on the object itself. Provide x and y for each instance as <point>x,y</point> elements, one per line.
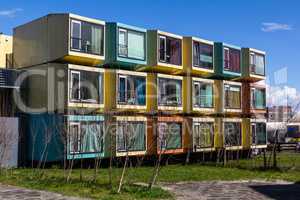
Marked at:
<point>169,93</point>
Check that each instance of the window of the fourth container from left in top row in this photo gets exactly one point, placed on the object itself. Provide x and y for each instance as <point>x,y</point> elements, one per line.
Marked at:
<point>202,55</point>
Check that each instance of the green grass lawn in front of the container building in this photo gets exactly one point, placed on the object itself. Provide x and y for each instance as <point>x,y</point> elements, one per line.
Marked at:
<point>53,180</point>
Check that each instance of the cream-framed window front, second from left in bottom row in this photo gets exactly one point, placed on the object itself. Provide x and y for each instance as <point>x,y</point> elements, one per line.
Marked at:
<point>131,136</point>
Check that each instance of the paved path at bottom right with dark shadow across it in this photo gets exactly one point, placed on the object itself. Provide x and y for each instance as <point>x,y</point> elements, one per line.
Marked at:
<point>243,190</point>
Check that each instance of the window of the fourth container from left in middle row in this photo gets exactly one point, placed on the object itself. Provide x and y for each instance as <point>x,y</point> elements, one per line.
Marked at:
<point>203,94</point>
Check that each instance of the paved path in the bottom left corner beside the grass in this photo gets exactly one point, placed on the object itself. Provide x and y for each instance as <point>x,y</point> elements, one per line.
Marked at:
<point>14,193</point>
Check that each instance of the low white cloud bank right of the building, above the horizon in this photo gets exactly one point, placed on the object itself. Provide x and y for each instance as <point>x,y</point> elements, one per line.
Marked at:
<point>282,95</point>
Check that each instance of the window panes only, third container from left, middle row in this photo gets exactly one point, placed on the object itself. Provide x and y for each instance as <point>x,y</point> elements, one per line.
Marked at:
<point>170,92</point>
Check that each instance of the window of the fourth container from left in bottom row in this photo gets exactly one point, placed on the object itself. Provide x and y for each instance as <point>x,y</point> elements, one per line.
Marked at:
<point>203,133</point>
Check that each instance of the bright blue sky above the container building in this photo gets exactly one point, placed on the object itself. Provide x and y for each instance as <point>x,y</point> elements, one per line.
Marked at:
<point>272,26</point>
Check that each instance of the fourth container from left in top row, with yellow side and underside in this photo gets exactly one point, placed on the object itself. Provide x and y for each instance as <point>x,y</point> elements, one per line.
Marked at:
<point>198,57</point>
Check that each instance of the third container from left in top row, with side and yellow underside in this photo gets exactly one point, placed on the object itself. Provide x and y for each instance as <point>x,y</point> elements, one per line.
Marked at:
<point>164,51</point>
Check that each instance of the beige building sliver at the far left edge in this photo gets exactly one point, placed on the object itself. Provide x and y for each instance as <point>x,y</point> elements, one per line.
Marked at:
<point>5,51</point>
